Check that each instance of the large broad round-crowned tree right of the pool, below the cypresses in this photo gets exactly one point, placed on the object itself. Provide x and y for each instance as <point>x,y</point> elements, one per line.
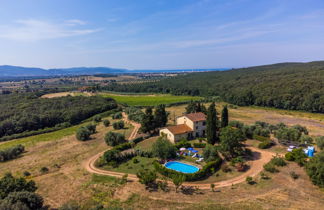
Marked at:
<point>230,142</point>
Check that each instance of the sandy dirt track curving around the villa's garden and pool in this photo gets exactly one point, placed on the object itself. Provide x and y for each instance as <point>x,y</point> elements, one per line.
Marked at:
<point>261,157</point>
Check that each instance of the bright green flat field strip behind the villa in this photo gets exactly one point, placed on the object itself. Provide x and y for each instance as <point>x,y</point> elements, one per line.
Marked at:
<point>149,100</point>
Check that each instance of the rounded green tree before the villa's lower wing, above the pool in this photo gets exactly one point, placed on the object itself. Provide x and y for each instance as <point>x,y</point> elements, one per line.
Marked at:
<point>164,149</point>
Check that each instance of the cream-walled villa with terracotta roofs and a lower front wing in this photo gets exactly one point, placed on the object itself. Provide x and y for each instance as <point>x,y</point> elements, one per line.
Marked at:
<point>188,126</point>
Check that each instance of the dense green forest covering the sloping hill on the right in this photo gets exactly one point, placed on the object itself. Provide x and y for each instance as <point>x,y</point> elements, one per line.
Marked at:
<point>296,86</point>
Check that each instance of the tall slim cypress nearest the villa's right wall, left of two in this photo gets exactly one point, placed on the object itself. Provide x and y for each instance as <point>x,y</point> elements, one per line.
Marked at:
<point>212,122</point>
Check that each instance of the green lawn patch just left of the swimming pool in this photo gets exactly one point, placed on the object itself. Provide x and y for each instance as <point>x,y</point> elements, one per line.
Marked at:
<point>132,168</point>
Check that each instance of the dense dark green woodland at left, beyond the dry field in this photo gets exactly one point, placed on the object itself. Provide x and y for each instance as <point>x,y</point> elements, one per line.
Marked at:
<point>27,112</point>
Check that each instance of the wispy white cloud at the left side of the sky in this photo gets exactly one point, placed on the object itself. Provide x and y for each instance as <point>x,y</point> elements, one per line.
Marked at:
<point>35,30</point>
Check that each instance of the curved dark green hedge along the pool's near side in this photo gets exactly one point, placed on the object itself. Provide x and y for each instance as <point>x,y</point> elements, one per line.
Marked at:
<point>204,172</point>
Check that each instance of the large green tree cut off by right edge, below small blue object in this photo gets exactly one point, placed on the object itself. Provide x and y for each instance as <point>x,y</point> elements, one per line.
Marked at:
<point>315,169</point>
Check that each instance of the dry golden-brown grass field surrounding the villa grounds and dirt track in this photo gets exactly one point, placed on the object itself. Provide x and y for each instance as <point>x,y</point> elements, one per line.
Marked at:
<point>67,180</point>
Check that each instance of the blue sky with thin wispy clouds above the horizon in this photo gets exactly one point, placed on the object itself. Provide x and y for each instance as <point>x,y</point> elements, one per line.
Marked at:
<point>160,34</point>
